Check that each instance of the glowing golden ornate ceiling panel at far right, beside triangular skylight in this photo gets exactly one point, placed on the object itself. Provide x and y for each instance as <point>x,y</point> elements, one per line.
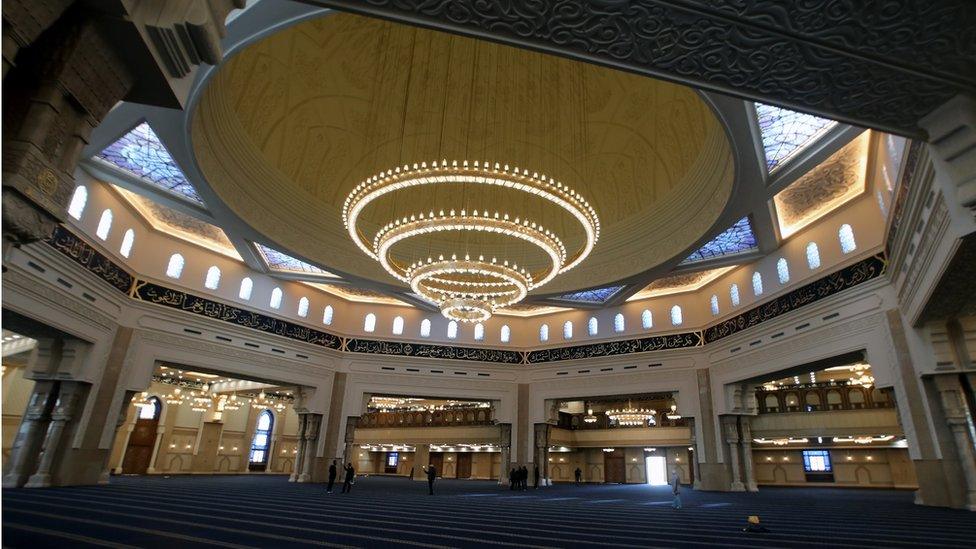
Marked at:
<point>831,184</point>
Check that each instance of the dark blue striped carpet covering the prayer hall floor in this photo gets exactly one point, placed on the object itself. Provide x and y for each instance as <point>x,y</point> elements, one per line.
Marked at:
<point>267,511</point>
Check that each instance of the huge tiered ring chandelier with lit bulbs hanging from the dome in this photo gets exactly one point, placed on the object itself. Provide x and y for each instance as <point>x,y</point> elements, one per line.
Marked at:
<point>466,283</point>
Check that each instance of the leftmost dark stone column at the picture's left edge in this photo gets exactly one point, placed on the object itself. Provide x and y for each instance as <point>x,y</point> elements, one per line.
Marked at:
<point>27,445</point>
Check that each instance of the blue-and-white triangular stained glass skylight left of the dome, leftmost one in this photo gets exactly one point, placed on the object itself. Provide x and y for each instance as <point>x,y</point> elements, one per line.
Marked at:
<point>141,153</point>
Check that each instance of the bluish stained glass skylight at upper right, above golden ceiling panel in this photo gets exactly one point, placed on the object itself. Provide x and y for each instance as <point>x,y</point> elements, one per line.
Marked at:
<point>785,133</point>
